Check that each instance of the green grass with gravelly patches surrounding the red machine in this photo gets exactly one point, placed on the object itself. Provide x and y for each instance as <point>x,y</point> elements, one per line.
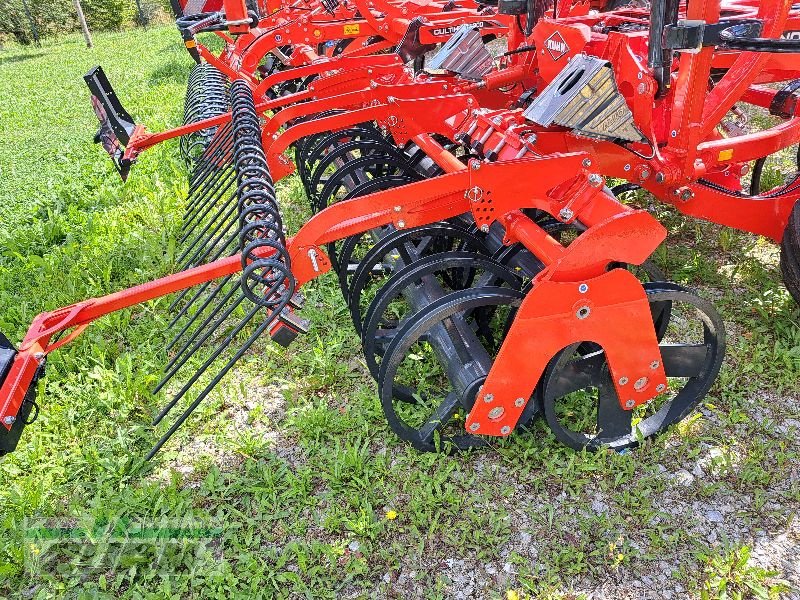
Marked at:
<point>288,483</point>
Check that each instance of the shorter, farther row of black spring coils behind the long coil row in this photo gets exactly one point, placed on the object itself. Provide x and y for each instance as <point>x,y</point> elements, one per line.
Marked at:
<point>206,97</point>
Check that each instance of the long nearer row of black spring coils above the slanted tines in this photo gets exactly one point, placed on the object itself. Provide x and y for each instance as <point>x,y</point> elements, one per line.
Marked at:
<point>266,281</point>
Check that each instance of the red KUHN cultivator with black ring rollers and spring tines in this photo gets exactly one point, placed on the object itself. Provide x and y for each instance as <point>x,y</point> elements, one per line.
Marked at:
<point>461,200</point>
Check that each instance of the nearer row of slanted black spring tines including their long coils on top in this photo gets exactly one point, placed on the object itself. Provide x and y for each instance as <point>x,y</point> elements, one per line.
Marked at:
<point>217,227</point>
